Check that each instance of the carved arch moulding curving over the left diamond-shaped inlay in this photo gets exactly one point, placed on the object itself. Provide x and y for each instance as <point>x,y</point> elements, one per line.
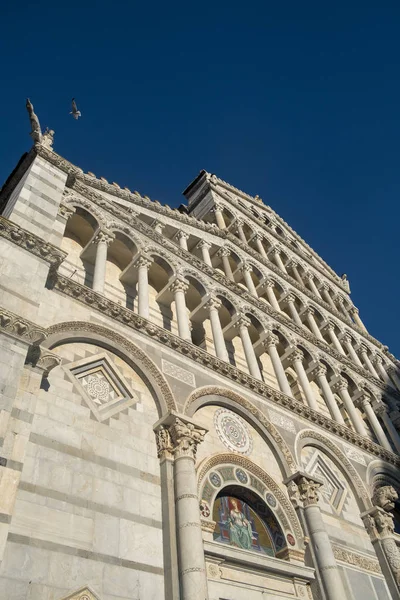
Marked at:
<point>79,331</point>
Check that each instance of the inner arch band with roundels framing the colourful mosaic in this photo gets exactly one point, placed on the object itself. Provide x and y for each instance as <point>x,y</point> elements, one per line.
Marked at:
<point>254,478</point>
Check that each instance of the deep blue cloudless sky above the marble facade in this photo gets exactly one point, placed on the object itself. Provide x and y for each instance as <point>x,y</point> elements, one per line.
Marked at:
<point>296,102</point>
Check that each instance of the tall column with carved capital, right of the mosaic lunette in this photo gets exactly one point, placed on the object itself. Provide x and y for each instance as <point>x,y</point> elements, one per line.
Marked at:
<point>326,564</point>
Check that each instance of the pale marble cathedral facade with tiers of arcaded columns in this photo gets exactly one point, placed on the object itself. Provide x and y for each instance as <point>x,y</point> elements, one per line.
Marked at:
<point>191,405</point>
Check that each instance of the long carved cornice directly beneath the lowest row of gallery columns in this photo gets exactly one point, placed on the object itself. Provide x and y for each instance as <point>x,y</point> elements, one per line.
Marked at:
<point>125,316</point>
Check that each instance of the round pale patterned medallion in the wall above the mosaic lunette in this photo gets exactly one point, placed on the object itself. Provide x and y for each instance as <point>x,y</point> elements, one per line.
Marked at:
<point>232,431</point>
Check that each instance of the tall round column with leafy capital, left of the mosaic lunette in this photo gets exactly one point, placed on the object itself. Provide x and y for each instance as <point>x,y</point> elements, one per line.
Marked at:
<point>181,439</point>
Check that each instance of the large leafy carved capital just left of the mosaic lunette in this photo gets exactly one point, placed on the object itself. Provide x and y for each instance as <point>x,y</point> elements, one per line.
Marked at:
<point>177,436</point>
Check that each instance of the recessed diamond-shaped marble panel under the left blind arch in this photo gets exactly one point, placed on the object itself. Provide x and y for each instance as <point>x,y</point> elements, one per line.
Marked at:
<point>102,387</point>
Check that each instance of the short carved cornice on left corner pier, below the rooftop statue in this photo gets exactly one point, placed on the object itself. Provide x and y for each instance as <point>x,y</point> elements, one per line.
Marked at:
<point>31,242</point>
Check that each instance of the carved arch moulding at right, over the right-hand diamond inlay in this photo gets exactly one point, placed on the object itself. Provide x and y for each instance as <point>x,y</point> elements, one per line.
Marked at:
<point>307,437</point>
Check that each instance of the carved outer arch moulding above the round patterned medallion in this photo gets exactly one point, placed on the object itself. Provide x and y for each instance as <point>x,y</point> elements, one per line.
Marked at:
<point>206,396</point>
